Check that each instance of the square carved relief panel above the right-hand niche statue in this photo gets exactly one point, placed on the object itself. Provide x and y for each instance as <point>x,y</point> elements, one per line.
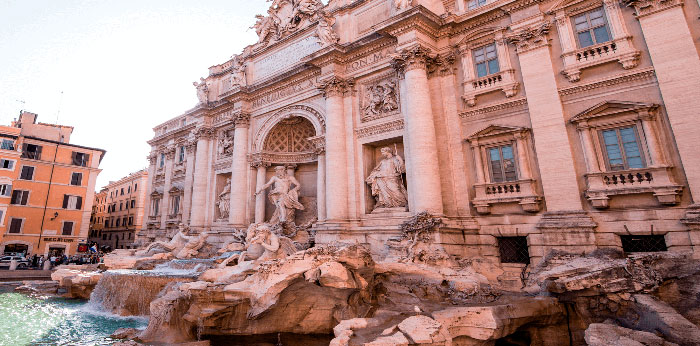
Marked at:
<point>379,98</point>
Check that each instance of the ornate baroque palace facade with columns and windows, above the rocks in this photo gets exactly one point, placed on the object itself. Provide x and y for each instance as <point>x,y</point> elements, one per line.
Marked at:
<point>526,125</point>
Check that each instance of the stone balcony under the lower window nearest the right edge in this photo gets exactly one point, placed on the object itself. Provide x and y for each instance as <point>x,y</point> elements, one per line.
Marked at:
<point>656,180</point>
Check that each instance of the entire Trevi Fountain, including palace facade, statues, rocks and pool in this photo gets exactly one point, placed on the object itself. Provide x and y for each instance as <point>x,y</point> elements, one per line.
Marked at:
<point>417,172</point>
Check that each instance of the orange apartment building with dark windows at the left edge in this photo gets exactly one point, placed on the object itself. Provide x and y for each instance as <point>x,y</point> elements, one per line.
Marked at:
<point>47,188</point>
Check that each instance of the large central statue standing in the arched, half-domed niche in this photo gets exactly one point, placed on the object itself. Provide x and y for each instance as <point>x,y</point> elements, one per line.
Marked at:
<point>285,199</point>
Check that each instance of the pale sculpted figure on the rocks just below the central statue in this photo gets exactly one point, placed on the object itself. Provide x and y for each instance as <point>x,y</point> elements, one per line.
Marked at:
<point>261,244</point>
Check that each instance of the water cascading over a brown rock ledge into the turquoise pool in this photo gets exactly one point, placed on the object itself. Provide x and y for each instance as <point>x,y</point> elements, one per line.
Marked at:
<point>130,292</point>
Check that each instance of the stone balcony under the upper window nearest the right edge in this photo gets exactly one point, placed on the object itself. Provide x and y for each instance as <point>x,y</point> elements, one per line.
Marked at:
<point>620,50</point>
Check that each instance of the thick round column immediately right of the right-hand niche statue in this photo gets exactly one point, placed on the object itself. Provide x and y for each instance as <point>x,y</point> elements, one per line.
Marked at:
<point>425,193</point>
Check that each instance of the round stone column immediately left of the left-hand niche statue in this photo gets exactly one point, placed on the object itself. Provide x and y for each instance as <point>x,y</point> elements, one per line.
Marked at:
<point>201,177</point>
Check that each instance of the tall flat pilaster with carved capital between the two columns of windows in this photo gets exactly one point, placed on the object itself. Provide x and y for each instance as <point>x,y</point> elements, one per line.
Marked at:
<point>559,179</point>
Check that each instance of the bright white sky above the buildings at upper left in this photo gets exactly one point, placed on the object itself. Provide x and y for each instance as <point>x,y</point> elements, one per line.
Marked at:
<point>123,66</point>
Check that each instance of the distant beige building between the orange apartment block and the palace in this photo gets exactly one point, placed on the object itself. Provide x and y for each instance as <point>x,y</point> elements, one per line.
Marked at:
<point>119,213</point>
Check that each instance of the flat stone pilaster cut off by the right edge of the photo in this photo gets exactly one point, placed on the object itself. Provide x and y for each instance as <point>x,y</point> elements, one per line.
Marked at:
<point>674,54</point>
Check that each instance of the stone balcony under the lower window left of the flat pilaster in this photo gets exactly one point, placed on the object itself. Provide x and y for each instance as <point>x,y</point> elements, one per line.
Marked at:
<point>519,191</point>
